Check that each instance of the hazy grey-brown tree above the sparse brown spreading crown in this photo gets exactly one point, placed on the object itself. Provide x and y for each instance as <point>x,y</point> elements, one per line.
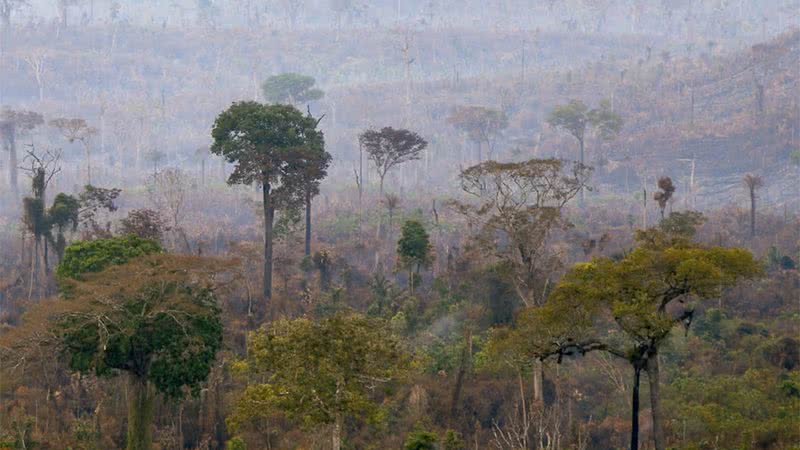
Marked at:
<point>482,125</point>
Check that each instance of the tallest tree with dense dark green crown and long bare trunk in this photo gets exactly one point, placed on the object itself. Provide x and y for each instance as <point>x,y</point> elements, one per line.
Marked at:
<point>262,141</point>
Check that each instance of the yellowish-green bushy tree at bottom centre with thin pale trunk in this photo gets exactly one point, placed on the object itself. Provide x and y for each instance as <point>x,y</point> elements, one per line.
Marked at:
<point>318,373</point>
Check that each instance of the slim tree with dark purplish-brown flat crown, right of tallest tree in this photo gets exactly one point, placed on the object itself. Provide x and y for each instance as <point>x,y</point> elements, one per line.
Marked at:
<point>389,147</point>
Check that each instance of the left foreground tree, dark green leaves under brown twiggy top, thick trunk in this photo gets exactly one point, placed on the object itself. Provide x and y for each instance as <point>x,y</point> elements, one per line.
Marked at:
<point>155,318</point>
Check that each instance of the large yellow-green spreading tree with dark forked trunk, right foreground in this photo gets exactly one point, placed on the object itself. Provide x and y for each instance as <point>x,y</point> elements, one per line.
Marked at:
<point>629,307</point>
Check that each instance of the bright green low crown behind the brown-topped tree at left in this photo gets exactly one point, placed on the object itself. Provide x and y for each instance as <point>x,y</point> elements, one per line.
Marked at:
<point>83,257</point>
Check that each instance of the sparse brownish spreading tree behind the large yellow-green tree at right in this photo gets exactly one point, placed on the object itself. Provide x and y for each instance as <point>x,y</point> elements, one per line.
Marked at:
<point>515,209</point>
